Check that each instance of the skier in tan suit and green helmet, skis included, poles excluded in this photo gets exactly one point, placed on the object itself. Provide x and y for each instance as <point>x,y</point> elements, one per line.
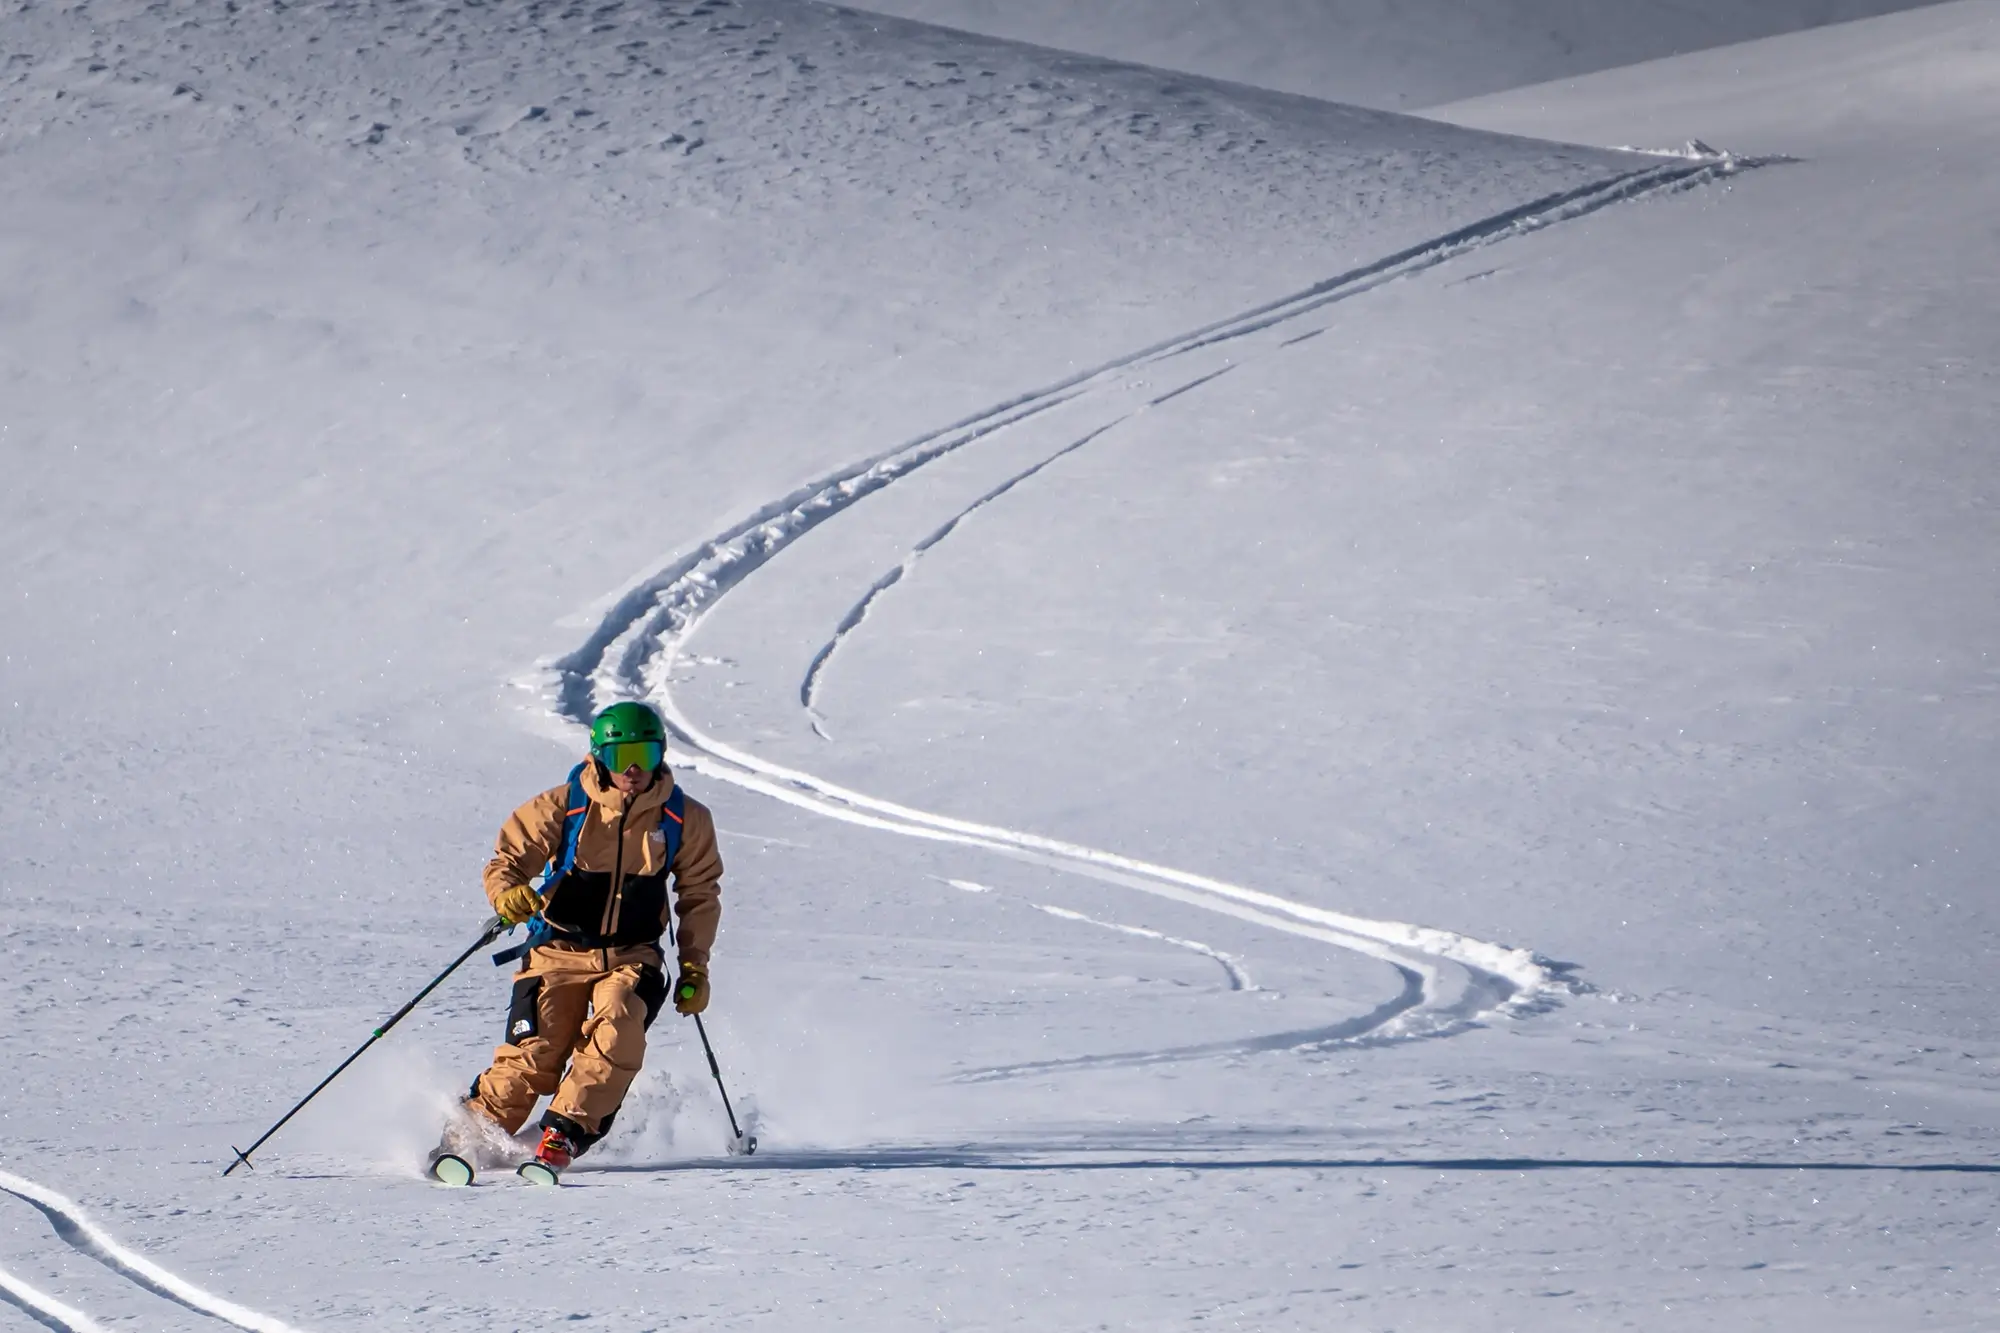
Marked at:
<point>593,974</point>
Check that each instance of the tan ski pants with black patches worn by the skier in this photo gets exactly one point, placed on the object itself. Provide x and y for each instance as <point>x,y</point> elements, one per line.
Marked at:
<point>579,1008</point>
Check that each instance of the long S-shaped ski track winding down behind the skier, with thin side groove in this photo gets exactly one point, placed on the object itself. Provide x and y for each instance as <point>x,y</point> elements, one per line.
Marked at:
<point>1449,980</point>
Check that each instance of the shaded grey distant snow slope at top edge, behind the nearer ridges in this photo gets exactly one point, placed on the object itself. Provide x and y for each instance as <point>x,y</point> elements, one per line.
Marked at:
<point>1377,53</point>
